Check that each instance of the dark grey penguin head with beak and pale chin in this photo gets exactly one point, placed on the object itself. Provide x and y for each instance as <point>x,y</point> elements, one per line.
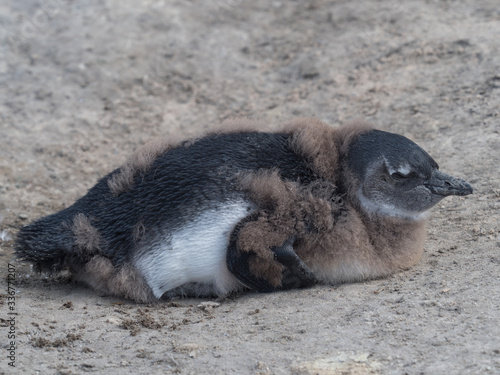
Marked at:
<point>397,177</point>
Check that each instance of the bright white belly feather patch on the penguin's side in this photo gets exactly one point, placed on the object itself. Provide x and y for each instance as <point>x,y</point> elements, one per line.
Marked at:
<point>196,253</point>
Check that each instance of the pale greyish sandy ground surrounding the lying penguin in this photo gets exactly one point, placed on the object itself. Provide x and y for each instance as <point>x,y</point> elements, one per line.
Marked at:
<point>83,83</point>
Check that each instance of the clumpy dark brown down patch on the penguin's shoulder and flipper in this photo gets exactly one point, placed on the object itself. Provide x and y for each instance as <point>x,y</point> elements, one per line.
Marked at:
<point>286,209</point>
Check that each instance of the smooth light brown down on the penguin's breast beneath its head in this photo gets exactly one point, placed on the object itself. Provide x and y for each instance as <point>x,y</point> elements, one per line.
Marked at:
<point>359,248</point>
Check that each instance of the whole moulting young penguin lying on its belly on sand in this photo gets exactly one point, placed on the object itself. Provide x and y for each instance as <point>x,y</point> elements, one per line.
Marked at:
<point>240,208</point>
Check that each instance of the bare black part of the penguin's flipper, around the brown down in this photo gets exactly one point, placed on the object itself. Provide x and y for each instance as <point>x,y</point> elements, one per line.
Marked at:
<point>294,274</point>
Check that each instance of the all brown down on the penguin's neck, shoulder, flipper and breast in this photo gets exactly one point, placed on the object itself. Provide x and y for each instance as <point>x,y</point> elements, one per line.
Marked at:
<point>335,239</point>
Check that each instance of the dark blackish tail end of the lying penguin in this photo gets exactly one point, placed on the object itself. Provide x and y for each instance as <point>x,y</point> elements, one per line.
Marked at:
<point>46,243</point>
